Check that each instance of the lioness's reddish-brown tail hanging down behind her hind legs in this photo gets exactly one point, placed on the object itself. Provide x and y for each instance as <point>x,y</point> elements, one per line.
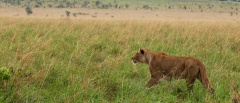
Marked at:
<point>204,79</point>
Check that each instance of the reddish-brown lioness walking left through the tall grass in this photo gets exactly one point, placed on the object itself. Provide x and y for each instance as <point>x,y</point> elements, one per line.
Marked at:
<point>163,66</point>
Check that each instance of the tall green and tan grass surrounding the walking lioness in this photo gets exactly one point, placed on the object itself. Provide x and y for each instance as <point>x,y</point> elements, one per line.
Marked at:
<point>80,60</point>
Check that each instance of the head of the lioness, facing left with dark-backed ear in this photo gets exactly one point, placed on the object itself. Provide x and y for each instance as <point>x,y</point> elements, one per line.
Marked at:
<point>139,56</point>
